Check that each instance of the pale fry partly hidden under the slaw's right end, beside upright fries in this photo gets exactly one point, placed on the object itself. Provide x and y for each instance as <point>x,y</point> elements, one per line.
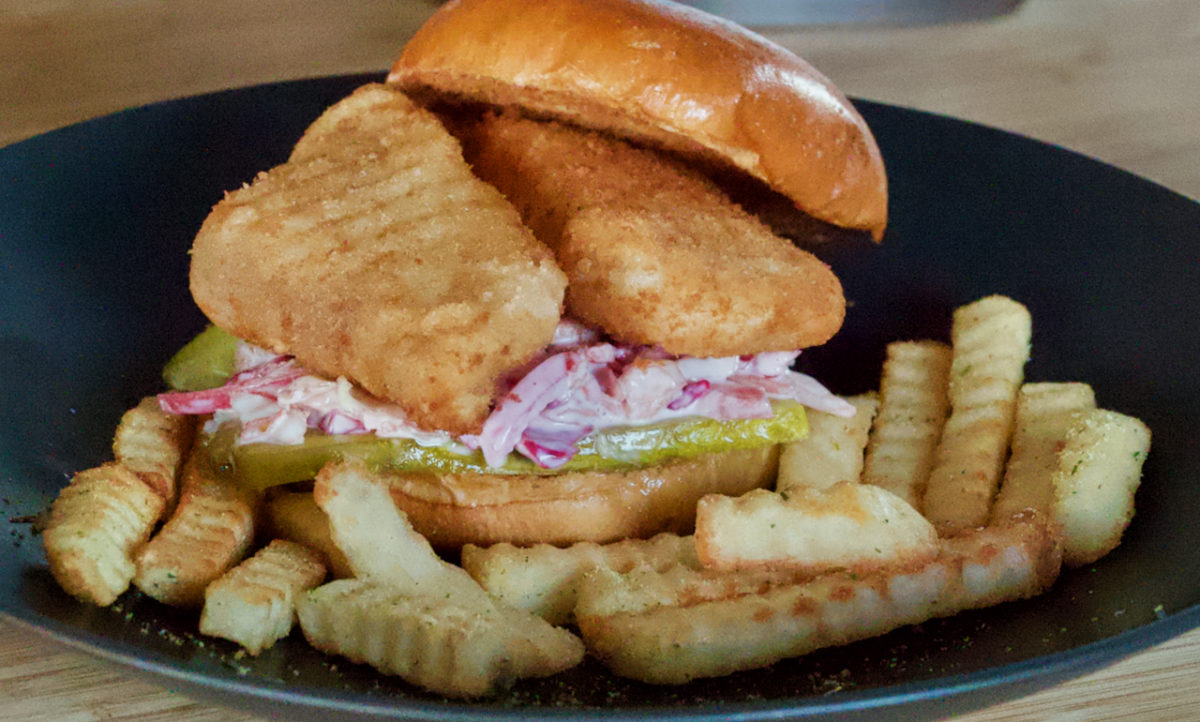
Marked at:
<point>833,450</point>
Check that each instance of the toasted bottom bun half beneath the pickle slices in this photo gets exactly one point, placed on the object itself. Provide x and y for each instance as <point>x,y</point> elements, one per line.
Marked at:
<point>484,509</point>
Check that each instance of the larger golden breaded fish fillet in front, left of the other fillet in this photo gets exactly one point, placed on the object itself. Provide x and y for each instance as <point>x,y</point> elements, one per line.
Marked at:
<point>375,254</point>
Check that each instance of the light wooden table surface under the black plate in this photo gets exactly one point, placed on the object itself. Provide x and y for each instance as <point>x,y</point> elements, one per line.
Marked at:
<point>1114,80</point>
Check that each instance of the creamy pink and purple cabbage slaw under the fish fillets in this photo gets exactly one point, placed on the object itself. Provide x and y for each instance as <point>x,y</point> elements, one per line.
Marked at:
<point>578,386</point>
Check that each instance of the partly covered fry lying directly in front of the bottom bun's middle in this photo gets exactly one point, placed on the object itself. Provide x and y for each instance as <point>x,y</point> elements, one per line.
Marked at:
<point>544,580</point>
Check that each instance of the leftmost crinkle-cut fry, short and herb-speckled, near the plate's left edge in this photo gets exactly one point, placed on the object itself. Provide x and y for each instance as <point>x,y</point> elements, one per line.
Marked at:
<point>97,525</point>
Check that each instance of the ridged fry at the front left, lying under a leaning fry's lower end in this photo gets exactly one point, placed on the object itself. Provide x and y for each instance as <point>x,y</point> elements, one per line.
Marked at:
<point>452,647</point>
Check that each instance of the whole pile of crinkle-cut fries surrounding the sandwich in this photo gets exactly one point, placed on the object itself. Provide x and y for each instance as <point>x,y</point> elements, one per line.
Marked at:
<point>956,486</point>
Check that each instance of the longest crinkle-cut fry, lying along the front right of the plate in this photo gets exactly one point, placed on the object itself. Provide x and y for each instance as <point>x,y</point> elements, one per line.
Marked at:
<point>671,629</point>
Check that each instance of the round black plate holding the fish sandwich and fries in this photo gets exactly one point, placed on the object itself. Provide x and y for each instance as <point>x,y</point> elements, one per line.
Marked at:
<point>95,221</point>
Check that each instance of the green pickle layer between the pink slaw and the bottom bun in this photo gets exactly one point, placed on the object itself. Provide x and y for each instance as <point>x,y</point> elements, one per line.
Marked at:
<point>262,466</point>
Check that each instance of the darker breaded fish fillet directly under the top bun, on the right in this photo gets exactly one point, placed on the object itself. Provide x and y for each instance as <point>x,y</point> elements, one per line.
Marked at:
<point>655,252</point>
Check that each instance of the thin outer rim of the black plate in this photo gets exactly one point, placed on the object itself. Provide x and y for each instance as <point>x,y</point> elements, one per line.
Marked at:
<point>1058,666</point>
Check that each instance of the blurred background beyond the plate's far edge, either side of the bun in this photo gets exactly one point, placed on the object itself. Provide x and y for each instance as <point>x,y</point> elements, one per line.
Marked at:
<point>1112,79</point>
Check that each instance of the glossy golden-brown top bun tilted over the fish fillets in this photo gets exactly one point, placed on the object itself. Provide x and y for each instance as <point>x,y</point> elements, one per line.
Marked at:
<point>665,75</point>
